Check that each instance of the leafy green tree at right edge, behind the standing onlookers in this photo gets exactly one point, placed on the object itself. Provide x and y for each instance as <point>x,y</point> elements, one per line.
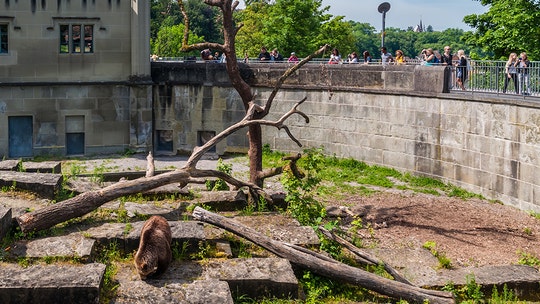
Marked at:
<point>508,26</point>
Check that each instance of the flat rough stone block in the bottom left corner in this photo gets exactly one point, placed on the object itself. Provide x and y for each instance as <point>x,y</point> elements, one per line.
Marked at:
<point>51,283</point>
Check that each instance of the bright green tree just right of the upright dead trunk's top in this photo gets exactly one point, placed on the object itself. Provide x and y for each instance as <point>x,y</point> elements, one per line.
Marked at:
<point>291,26</point>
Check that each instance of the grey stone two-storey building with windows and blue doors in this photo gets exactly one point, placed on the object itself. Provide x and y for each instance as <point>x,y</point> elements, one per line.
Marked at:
<point>74,77</point>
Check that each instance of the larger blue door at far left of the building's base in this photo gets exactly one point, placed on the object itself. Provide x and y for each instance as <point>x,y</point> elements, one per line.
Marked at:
<point>20,136</point>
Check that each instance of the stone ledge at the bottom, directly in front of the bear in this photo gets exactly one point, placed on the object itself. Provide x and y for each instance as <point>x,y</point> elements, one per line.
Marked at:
<point>193,282</point>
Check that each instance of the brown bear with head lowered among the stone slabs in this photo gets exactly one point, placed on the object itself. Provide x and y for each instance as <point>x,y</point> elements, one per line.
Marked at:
<point>154,254</point>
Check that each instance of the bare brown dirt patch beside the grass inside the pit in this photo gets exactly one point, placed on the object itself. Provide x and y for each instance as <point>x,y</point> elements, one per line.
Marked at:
<point>469,232</point>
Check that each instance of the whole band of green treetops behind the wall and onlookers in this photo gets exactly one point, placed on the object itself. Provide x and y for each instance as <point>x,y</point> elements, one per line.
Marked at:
<point>302,26</point>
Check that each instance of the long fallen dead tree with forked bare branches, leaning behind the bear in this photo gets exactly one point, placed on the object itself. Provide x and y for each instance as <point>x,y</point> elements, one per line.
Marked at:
<point>86,202</point>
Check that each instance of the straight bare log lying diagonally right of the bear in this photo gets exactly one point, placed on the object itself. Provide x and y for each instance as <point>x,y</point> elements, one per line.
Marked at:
<point>327,267</point>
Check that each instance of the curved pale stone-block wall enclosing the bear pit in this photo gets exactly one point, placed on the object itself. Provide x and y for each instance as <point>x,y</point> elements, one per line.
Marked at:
<point>392,116</point>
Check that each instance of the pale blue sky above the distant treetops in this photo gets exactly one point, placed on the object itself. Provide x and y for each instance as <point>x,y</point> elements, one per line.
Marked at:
<point>440,14</point>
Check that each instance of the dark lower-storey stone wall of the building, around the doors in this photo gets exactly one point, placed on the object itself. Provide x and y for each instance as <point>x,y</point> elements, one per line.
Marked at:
<point>112,118</point>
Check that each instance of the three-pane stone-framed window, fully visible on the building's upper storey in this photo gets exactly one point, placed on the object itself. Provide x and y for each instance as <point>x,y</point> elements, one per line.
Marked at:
<point>76,38</point>
